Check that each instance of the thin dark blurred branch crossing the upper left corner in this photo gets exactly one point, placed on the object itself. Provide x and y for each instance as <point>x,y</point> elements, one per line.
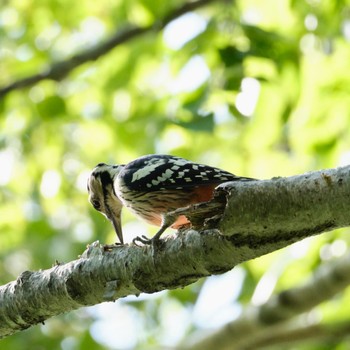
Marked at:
<point>59,70</point>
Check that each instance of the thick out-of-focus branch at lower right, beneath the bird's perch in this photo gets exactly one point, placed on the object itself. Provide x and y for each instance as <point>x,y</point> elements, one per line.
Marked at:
<point>257,324</point>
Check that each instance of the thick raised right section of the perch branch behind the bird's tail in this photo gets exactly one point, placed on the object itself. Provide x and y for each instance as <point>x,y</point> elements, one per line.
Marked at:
<point>272,212</point>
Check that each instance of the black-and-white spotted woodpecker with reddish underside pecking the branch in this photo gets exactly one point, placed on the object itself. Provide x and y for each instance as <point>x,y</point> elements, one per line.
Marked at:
<point>152,186</point>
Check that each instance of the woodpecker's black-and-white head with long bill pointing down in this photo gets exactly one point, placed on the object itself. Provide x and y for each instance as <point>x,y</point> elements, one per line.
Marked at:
<point>102,195</point>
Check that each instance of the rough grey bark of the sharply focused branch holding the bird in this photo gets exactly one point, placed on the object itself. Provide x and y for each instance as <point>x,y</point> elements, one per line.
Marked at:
<point>260,217</point>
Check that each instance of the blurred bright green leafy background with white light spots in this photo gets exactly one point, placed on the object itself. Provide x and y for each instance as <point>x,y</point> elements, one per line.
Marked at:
<point>257,88</point>
